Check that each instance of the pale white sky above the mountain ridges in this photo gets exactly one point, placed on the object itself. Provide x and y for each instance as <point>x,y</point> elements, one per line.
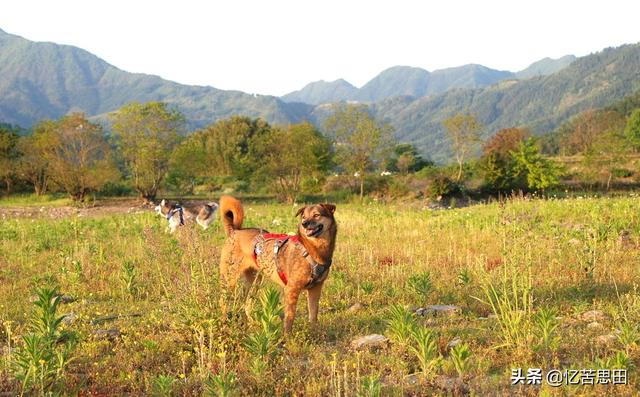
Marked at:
<point>274,47</point>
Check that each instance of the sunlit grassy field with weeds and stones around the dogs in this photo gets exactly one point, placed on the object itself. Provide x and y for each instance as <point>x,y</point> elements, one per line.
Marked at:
<point>535,284</point>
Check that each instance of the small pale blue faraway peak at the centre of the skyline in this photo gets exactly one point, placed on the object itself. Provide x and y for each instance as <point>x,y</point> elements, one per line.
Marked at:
<point>322,91</point>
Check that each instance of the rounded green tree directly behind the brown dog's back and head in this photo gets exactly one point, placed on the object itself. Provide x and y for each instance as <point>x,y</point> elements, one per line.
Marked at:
<point>289,156</point>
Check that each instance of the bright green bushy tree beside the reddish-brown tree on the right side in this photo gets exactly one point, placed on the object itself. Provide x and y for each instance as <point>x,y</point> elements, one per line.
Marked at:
<point>540,173</point>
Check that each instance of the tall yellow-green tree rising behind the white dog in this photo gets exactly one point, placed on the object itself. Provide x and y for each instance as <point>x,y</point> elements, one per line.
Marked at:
<point>147,133</point>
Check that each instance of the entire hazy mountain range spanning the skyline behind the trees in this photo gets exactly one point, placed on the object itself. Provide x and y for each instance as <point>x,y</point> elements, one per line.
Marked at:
<point>46,80</point>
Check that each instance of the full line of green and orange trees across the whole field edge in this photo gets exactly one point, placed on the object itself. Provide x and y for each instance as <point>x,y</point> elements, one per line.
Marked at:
<point>147,148</point>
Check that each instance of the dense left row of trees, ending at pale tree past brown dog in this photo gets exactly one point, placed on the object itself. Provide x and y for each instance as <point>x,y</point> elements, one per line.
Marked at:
<point>148,148</point>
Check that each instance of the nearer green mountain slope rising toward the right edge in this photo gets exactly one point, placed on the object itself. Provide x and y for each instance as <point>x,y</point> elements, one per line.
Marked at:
<point>540,103</point>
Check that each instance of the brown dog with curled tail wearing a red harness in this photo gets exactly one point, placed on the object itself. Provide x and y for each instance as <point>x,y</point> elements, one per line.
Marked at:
<point>294,262</point>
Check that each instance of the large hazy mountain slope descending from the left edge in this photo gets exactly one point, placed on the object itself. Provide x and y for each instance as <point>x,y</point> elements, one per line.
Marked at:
<point>46,80</point>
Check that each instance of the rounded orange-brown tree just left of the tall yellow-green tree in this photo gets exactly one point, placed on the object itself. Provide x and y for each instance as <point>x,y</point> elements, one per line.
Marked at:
<point>78,156</point>
